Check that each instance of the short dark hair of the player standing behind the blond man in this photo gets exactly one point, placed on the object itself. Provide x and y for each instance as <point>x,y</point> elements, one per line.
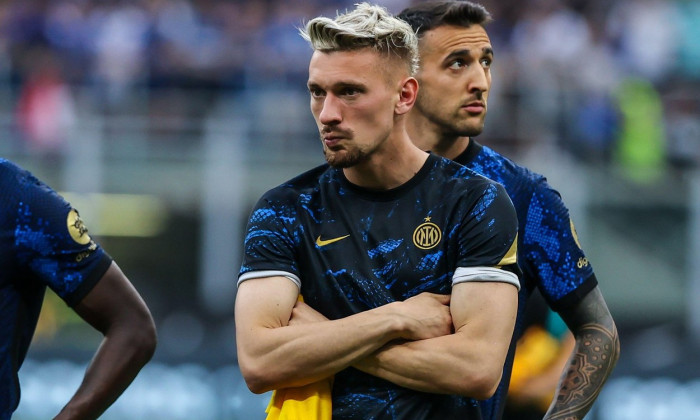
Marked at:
<point>432,14</point>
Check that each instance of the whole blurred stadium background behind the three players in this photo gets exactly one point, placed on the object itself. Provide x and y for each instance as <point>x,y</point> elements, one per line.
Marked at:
<point>163,121</point>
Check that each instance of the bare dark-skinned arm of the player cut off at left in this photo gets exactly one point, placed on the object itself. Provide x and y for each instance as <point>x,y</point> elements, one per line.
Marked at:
<point>116,309</point>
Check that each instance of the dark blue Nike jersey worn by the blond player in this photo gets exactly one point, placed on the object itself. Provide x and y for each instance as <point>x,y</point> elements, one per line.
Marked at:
<point>352,249</point>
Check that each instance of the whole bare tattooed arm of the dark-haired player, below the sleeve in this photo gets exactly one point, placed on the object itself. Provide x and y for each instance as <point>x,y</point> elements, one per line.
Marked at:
<point>592,360</point>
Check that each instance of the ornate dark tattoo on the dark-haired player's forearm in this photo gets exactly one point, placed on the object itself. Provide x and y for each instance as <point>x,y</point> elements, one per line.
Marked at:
<point>594,357</point>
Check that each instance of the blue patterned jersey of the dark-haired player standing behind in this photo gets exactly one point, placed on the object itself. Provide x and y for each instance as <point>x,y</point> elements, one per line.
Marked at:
<point>549,253</point>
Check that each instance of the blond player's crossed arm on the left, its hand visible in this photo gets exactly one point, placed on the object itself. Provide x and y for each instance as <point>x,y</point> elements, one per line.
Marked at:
<point>273,354</point>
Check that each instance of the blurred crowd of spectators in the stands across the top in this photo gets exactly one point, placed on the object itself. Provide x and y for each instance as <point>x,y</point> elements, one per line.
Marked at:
<point>598,76</point>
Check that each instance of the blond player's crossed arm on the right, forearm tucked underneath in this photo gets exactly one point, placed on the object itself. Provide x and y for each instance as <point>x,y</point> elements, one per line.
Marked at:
<point>468,362</point>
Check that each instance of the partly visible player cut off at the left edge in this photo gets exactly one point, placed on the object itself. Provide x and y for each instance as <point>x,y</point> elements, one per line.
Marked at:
<point>44,242</point>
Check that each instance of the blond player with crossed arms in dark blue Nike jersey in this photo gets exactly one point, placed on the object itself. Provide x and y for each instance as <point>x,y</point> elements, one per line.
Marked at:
<point>409,258</point>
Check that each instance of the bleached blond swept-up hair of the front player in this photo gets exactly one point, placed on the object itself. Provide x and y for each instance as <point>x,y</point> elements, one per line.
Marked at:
<point>367,26</point>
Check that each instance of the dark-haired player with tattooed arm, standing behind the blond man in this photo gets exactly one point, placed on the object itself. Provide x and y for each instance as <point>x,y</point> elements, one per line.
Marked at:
<point>455,80</point>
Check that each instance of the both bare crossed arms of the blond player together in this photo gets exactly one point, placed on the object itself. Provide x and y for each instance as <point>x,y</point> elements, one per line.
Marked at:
<point>421,343</point>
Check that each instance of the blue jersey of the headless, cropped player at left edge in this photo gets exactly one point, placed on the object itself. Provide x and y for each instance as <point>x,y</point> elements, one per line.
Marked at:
<point>43,243</point>
